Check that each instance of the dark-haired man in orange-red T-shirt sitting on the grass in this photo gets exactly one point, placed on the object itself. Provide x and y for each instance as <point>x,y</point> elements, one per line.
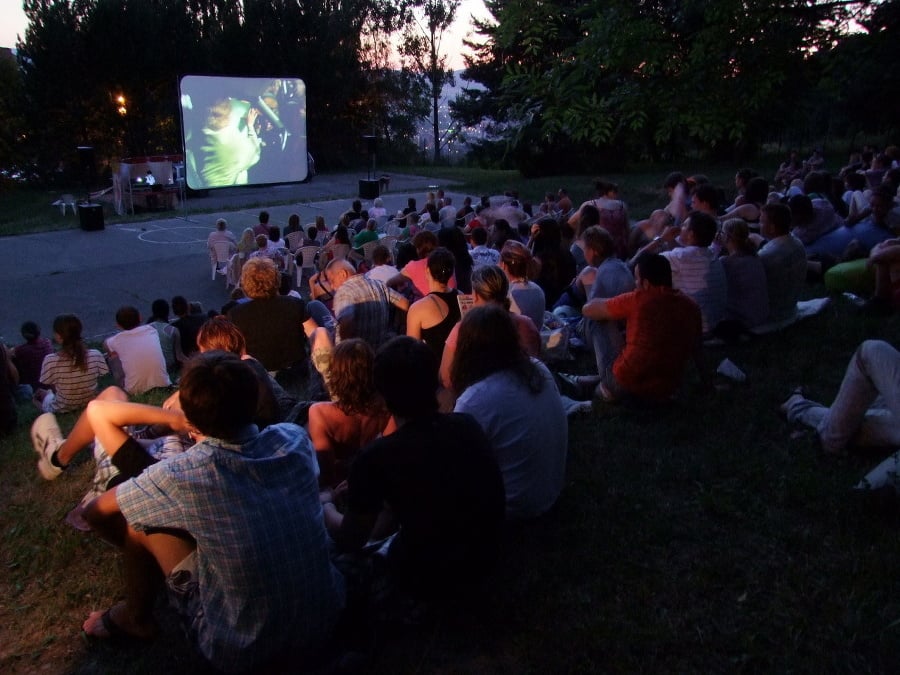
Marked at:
<point>663,329</point>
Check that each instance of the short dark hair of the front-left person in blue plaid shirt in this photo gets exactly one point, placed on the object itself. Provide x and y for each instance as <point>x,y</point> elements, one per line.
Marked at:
<point>219,394</point>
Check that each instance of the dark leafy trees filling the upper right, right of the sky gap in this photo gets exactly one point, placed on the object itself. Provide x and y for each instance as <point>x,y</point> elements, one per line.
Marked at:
<point>570,84</point>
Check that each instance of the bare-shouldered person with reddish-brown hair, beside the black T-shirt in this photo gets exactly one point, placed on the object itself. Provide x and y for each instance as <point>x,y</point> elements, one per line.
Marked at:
<point>355,415</point>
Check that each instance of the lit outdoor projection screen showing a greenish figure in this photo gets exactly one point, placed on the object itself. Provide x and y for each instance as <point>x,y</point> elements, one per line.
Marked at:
<point>243,130</point>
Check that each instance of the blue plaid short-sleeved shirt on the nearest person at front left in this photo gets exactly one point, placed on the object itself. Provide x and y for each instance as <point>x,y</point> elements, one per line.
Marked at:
<point>264,578</point>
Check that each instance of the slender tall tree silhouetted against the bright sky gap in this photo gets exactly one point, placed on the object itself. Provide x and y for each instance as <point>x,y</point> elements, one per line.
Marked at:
<point>422,45</point>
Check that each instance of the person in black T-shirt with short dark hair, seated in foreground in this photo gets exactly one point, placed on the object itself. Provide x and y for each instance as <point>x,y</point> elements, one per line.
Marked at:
<point>434,479</point>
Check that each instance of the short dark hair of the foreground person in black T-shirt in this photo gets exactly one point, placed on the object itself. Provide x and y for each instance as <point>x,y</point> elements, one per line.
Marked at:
<point>406,376</point>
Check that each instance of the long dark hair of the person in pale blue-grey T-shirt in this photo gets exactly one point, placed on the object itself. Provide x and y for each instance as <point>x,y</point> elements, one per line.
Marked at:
<point>489,343</point>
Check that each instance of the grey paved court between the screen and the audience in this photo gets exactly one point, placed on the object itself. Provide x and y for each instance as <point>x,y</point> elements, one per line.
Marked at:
<point>91,274</point>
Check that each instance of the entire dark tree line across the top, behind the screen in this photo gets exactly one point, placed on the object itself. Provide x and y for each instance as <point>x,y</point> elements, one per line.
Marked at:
<point>567,84</point>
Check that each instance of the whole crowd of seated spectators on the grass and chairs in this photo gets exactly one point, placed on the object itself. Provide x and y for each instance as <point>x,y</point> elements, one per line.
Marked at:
<point>422,442</point>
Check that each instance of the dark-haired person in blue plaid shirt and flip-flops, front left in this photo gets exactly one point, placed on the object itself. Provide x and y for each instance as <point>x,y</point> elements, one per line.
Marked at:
<point>218,524</point>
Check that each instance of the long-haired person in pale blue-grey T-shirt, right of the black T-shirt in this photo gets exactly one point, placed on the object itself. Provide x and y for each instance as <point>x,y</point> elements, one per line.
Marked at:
<point>501,387</point>
